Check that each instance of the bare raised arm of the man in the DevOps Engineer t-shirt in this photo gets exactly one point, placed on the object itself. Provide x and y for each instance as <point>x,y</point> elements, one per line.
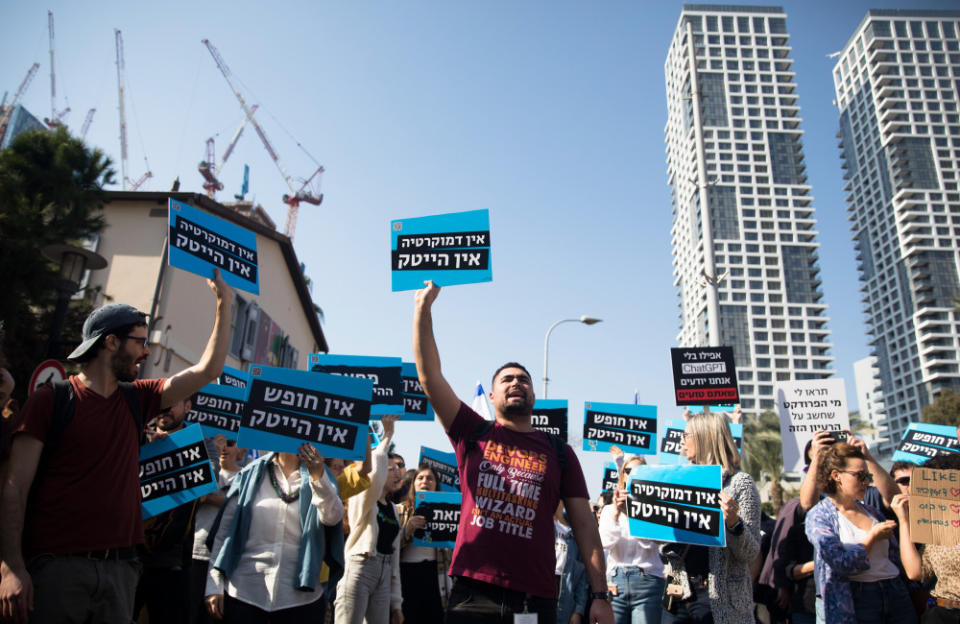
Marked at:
<point>441,396</point>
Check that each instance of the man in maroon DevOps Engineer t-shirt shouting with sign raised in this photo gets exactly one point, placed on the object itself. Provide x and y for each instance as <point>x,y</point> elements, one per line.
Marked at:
<point>511,481</point>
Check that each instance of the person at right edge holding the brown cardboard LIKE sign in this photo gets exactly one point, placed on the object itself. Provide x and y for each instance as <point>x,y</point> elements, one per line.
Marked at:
<point>938,561</point>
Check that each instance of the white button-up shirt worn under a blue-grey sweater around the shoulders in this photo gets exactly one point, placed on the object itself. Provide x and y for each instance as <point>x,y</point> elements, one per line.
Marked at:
<point>266,572</point>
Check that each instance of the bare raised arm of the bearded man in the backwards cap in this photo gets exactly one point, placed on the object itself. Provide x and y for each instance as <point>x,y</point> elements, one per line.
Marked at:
<point>188,381</point>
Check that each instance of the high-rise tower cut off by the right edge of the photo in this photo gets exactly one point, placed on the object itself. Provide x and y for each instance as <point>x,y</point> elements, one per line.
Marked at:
<point>897,83</point>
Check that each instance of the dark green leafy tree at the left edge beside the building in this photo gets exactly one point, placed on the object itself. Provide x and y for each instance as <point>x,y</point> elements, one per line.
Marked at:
<point>51,191</point>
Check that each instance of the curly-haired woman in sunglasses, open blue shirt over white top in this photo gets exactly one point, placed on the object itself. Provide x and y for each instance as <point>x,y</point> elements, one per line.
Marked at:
<point>856,558</point>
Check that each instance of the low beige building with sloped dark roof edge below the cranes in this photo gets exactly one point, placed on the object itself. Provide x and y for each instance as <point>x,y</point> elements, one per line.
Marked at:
<point>278,327</point>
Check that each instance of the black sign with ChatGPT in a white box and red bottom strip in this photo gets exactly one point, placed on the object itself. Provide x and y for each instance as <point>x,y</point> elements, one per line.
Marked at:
<point>704,376</point>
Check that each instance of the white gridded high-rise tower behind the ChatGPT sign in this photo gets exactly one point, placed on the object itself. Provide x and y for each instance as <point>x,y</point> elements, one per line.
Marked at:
<point>743,234</point>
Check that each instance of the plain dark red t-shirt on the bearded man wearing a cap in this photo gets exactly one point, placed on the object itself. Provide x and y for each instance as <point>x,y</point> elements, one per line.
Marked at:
<point>89,495</point>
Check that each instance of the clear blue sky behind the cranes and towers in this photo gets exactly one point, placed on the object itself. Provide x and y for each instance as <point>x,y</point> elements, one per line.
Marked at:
<point>549,114</point>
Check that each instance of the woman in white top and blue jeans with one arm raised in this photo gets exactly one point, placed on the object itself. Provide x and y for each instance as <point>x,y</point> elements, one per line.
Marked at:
<point>633,564</point>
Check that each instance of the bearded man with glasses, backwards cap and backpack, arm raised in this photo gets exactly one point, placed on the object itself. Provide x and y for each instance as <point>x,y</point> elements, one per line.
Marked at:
<point>70,554</point>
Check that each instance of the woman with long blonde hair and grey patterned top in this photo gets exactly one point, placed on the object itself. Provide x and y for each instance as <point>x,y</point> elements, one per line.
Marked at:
<point>704,584</point>
